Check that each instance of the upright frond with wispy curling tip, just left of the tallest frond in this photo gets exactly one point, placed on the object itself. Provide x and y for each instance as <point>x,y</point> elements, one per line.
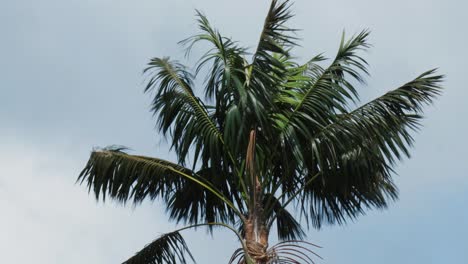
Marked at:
<point>225,81</point>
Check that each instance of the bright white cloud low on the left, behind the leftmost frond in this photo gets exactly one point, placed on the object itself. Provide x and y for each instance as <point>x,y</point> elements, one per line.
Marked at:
<point>46,218</point>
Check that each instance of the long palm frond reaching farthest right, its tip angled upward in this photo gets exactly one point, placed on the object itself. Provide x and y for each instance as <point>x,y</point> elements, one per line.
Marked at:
<point>387,121</point>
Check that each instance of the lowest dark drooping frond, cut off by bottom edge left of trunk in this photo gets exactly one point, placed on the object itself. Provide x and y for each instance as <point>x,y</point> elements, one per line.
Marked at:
<point>169,248</point>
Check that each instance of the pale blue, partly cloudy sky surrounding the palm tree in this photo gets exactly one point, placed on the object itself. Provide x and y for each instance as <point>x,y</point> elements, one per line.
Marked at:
<point>71,80</point>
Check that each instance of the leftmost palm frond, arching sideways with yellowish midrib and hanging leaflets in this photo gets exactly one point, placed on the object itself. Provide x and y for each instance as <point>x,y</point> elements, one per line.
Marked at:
<point>123,177</point>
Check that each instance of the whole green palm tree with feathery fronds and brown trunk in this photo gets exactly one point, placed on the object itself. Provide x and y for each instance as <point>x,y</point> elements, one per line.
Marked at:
<point>271,135</point>
